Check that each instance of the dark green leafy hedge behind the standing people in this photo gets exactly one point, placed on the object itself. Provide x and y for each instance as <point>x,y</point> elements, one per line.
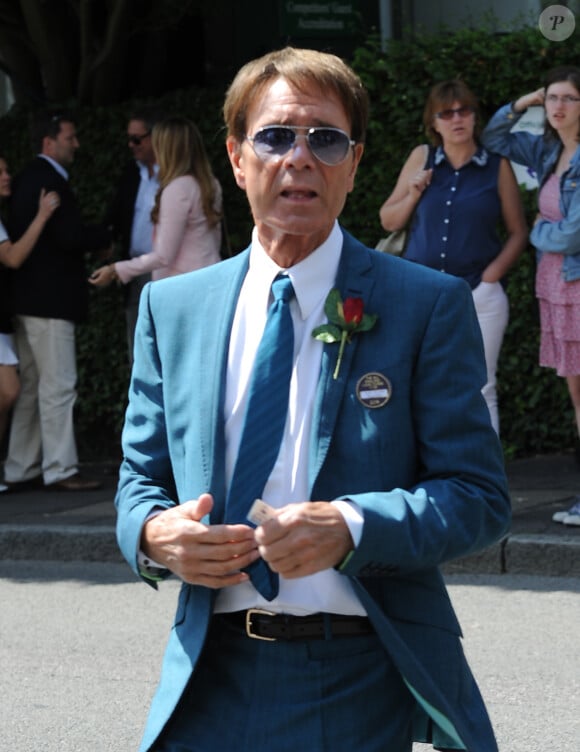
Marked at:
<point>535,411</point>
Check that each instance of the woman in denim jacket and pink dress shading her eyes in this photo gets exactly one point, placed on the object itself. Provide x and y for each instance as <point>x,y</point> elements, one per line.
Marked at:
<point>555,157</point>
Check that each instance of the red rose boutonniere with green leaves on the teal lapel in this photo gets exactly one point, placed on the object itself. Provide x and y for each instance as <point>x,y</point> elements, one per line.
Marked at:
<point>344,319</point>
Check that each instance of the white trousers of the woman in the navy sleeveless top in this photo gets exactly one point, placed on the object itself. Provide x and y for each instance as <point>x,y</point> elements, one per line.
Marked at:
<point>492,308</point>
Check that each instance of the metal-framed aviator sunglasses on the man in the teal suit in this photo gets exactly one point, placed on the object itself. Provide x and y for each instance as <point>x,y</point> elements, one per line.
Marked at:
<point>329,145</point>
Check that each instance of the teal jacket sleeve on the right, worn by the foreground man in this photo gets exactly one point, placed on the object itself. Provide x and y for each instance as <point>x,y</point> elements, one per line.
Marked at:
<point>459,502</point>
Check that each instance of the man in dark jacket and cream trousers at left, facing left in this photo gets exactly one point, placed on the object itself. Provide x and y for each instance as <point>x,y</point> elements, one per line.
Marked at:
<point>48,295</point>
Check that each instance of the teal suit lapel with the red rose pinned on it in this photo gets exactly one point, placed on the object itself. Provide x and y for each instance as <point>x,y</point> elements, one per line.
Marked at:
<point>354,279</point>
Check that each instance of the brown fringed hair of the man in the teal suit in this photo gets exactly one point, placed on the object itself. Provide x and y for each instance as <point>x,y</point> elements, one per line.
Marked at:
<point>302,69</point>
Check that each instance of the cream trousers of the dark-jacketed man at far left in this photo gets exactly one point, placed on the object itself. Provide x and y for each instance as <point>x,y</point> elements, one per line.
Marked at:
<point>42,438</point>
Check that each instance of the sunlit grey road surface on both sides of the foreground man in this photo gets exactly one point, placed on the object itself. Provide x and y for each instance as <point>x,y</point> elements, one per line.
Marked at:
<point>79,675</point>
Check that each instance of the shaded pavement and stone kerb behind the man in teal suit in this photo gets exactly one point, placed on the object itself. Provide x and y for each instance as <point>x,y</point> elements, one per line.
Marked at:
<point>80,526</point>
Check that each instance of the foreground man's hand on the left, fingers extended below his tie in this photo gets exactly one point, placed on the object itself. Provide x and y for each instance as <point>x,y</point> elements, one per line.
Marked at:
<point>210,555</point>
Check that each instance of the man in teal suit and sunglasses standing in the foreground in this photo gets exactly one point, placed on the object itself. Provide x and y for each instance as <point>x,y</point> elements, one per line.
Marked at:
<point>387,465</point>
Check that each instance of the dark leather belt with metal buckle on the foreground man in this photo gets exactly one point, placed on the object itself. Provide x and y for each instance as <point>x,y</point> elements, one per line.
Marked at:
<point>265,625</point>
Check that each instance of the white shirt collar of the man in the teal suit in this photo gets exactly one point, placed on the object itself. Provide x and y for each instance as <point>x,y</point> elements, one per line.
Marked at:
<point>312,278</point>
